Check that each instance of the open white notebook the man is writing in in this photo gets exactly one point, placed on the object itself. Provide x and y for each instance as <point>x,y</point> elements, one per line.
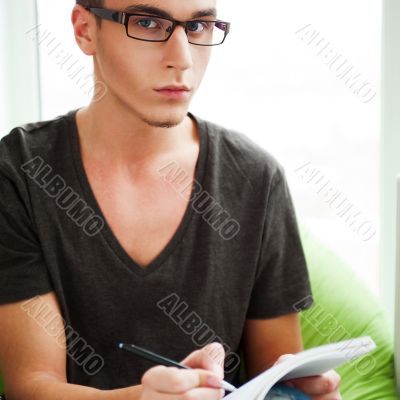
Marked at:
<point>310,362</point>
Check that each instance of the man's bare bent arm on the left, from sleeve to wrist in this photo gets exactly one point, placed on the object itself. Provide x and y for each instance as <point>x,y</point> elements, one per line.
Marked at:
<point>34,363</point>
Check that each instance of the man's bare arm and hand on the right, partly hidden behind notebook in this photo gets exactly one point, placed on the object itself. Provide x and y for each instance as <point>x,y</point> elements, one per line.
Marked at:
<point>265,340</point>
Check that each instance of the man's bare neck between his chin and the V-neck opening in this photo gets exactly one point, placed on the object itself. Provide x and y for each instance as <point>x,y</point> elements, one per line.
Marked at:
<point>117,135</point>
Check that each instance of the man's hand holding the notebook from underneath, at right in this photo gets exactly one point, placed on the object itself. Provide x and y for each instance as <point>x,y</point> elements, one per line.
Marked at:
<point>321,387</point>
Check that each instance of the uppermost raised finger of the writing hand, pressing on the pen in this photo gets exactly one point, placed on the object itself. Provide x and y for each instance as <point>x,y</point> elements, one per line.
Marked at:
<point>210,357</point>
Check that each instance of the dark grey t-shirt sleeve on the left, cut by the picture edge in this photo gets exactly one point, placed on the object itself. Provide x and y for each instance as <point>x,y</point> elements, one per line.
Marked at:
<point>23,273</point>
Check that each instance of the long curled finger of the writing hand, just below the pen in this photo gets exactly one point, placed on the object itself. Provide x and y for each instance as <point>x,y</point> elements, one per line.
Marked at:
<point>175,380</point>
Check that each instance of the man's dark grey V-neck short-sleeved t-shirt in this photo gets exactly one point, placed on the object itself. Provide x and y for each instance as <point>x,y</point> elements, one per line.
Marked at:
<point>235,255</point>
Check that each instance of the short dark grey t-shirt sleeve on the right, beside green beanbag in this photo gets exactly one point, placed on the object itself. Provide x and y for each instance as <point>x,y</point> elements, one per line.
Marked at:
<point>282,283</point>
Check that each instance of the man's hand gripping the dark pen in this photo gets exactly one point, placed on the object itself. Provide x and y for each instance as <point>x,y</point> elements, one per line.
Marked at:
<point>203,382</point>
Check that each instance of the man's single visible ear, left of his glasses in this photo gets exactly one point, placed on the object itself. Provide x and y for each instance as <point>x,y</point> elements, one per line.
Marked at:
<point>84,25</point>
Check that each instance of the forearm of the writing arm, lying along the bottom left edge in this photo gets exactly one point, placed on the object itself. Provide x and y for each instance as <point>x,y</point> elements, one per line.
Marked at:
<point>46,388</point>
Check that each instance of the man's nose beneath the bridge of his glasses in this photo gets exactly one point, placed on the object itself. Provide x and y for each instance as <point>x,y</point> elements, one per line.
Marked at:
<point>177,50</point>
